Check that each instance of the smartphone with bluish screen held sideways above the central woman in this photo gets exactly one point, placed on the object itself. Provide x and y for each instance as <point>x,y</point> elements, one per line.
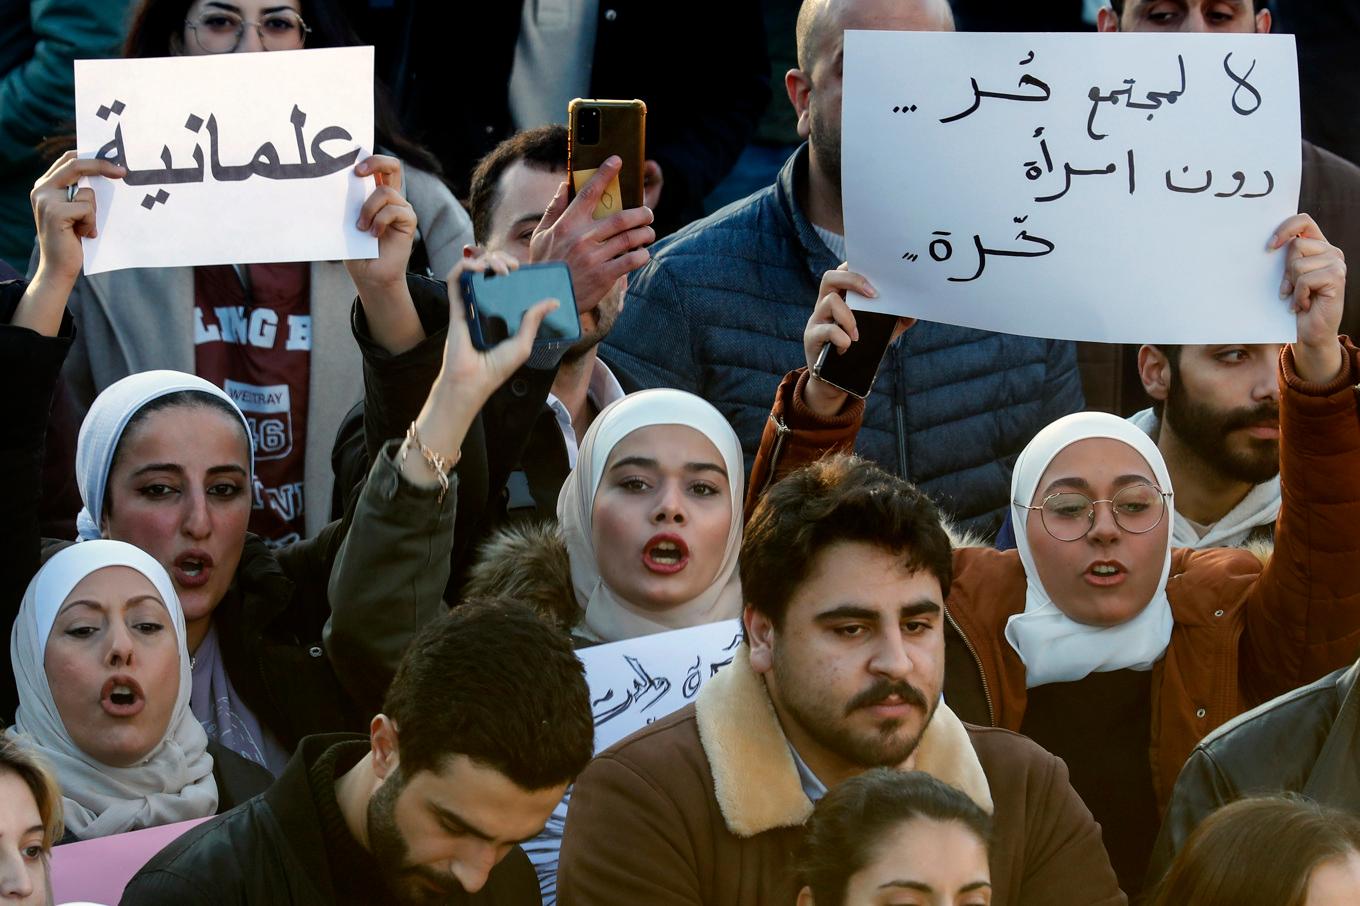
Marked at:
<point>496,304</point>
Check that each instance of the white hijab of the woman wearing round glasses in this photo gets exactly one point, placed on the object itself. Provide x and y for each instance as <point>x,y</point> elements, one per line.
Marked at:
<point>1055,647</point>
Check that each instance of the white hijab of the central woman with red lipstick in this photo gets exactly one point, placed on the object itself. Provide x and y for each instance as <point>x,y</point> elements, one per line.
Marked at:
<point>609,618</point>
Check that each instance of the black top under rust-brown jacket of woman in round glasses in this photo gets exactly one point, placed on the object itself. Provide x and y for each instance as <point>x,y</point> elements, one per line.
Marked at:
<point>1102,727</point>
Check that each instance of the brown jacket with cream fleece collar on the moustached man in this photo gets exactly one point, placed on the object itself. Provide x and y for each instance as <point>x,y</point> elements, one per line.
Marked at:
<point>705,807</point>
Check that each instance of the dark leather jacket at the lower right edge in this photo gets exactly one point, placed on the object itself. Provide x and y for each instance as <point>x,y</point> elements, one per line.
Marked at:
<point>1305,742</point>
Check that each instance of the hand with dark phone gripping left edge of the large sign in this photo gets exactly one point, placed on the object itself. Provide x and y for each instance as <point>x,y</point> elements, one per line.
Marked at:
<point>844,349</point>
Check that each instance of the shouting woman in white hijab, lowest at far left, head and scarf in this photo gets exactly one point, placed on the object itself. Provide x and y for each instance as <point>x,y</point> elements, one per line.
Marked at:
<point>99,652</point>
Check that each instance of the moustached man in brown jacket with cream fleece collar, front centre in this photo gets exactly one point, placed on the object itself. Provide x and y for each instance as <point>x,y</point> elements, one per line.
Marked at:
<point>845,571</point>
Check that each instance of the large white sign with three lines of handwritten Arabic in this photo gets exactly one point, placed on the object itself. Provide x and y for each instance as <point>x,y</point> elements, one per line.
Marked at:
<point>1086,187</point>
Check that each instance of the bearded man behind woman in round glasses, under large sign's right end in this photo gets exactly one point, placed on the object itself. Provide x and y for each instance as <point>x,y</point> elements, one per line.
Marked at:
<point>1217,421</point>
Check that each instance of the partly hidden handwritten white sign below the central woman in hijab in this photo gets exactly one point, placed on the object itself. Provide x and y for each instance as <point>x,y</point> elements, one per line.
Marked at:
<point>634,684</point>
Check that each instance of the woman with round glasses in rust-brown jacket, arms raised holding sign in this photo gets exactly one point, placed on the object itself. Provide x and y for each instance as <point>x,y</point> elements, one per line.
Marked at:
<point>1095,637</point>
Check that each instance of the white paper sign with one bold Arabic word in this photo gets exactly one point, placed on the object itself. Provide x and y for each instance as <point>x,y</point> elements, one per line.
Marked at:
<point>235,158</point>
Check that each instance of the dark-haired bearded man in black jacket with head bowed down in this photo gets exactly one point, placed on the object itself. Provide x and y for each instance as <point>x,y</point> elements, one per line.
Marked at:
<point>483,728</point>
